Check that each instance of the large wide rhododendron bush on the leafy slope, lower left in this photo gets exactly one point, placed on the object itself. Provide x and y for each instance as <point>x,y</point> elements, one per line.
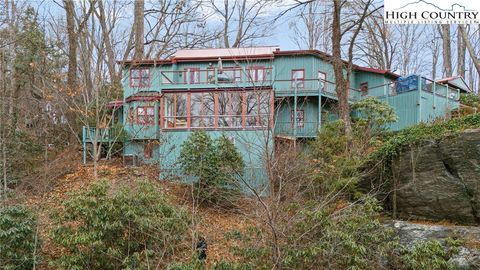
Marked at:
<point>128,227</point>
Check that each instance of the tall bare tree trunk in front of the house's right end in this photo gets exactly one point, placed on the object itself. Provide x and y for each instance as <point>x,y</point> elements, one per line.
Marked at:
<point>341,86</point>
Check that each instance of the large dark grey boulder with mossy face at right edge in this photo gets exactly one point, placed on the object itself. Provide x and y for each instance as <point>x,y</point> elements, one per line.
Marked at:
<point>439,179</point>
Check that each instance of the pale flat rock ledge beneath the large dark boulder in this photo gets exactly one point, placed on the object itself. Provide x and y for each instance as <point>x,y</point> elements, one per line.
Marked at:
<point>468,256</point>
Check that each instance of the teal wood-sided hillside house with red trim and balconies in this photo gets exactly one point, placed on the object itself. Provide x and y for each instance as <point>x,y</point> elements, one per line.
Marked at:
<point>257,97</point>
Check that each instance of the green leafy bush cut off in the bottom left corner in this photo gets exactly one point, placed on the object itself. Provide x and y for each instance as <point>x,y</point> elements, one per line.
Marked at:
<point>19,243</point>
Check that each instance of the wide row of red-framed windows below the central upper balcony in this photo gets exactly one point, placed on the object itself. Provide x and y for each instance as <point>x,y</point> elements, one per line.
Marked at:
<point>217,109</point>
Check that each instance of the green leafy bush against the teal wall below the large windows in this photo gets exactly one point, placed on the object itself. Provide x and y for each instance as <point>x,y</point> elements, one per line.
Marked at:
<point>217,166</point>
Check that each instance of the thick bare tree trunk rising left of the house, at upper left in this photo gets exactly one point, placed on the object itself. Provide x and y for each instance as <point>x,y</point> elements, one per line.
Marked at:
<point>72,44</point>
